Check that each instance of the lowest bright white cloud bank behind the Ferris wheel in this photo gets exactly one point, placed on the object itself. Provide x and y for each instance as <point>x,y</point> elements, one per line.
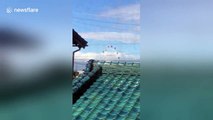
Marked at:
<point>106,56</point>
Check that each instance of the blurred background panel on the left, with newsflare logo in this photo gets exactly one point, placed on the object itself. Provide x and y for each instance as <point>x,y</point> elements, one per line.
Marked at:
<point>35,60</point>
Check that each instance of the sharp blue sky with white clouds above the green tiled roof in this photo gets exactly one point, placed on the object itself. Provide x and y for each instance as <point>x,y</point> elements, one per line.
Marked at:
<point>105,23</point>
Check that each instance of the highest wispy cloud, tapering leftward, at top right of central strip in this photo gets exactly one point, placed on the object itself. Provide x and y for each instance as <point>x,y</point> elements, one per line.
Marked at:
<point>124,13</point>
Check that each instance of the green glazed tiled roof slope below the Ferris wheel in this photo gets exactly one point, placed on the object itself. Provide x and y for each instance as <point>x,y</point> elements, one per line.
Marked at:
<point>114,95</point>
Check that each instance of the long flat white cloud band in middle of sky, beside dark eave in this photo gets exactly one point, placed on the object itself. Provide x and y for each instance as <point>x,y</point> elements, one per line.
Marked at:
<point>124,37</point>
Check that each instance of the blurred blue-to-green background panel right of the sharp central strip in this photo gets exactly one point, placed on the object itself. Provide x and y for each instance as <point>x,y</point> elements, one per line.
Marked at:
<point>177,53</point>
